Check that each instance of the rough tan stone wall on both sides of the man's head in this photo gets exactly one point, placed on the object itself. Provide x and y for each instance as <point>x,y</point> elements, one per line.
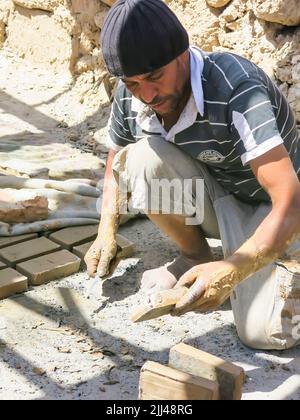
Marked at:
<point>64,34</point>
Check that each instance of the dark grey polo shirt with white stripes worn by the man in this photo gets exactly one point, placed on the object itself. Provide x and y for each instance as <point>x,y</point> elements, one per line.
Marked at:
<point>234,115</point>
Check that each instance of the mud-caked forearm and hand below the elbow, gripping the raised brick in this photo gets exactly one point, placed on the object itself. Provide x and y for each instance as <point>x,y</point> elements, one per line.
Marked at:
<point>212,283</point>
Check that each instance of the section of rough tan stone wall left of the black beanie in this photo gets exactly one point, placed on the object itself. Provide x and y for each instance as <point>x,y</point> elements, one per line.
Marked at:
<point>60,34</point>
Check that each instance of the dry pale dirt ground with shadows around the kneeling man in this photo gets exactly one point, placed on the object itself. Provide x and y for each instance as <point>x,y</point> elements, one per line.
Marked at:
<point>72,339</point>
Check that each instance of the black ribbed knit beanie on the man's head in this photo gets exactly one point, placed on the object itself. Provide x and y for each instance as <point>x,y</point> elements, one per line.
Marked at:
<point>140,36</point>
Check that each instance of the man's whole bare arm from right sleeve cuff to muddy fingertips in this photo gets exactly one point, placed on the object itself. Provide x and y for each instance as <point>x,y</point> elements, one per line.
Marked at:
<point>212,283</point>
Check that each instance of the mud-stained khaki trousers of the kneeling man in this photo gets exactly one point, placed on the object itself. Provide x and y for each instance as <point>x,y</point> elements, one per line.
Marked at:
<point>266,305</point>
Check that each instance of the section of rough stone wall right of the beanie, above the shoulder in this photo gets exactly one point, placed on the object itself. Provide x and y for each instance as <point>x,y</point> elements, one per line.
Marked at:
<point>264,31</point>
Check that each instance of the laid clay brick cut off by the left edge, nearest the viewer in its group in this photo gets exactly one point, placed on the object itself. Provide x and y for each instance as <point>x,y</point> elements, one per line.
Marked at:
<point>12,282</point>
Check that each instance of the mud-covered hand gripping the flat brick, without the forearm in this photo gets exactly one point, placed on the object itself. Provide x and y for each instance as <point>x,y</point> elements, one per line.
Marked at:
<point>210,284</point>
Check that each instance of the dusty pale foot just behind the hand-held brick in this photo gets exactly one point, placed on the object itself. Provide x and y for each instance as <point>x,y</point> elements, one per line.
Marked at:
<point>166,277</point>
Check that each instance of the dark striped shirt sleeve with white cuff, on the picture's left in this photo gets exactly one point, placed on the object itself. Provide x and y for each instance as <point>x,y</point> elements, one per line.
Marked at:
<point>119,134</point>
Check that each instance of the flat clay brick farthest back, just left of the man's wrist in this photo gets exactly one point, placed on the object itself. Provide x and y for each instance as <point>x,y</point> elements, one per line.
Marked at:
<point>73,236</point>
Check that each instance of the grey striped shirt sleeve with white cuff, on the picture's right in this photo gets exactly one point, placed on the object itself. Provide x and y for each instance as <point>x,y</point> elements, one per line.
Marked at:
<point>253,121</point>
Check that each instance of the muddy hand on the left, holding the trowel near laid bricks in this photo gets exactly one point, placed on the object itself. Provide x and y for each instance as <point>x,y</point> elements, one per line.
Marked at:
<point>100,255</point>
